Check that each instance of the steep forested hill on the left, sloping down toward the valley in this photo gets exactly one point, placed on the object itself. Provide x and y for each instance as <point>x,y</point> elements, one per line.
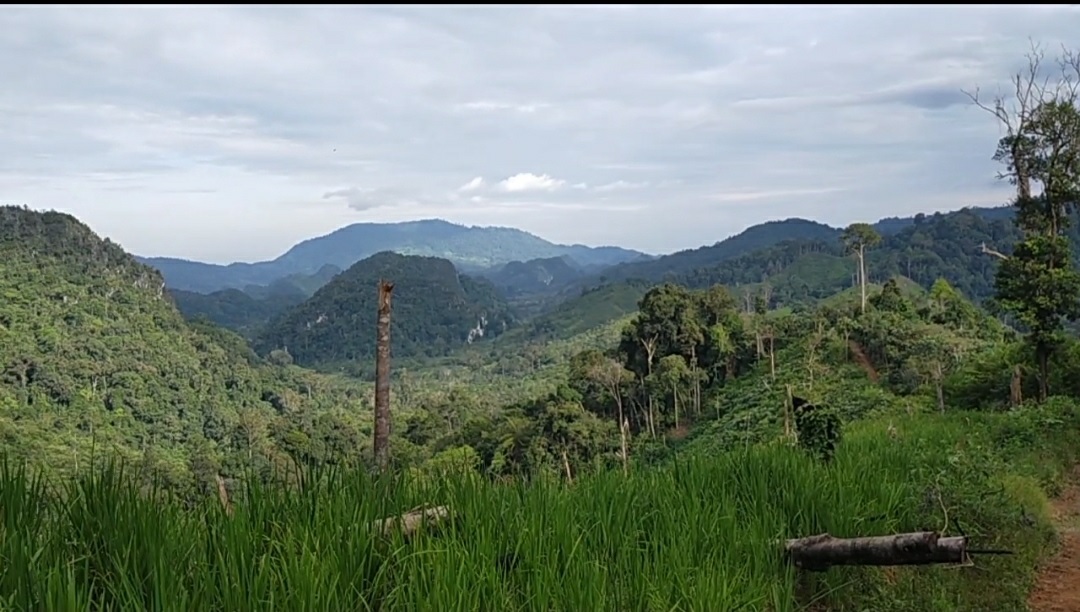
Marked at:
<point>93,355</point>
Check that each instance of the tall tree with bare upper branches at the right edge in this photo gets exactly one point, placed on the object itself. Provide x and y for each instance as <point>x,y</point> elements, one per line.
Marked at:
<point>1039,283</point>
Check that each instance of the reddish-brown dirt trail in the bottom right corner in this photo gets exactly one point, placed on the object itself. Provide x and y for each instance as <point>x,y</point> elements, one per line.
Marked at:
<point>1058,588</point>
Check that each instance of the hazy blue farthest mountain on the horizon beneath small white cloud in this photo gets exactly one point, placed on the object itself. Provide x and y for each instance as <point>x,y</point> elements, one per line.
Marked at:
<point>470,249</point>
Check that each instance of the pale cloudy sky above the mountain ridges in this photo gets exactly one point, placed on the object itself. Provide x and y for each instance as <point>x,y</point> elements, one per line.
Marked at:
<point>232,133</point>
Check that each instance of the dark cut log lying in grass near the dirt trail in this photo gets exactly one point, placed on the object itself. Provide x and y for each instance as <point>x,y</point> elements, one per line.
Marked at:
<point>819,553</point>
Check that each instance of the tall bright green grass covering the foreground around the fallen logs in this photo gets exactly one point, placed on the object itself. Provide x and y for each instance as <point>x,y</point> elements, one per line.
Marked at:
<point>697,535</point>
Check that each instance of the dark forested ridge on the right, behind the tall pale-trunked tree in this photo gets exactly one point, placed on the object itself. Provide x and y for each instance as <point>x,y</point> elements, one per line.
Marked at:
<point>924,249</point>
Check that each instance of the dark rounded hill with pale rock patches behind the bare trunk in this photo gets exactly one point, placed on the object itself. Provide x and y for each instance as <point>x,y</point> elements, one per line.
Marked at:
<point>436,310</point>
